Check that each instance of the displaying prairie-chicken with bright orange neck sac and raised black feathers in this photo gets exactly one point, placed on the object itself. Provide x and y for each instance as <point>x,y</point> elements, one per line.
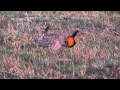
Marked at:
<point>55,41</point>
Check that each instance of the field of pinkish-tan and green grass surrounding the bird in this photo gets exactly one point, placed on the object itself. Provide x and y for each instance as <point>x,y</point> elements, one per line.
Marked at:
<point>95,56</point>
